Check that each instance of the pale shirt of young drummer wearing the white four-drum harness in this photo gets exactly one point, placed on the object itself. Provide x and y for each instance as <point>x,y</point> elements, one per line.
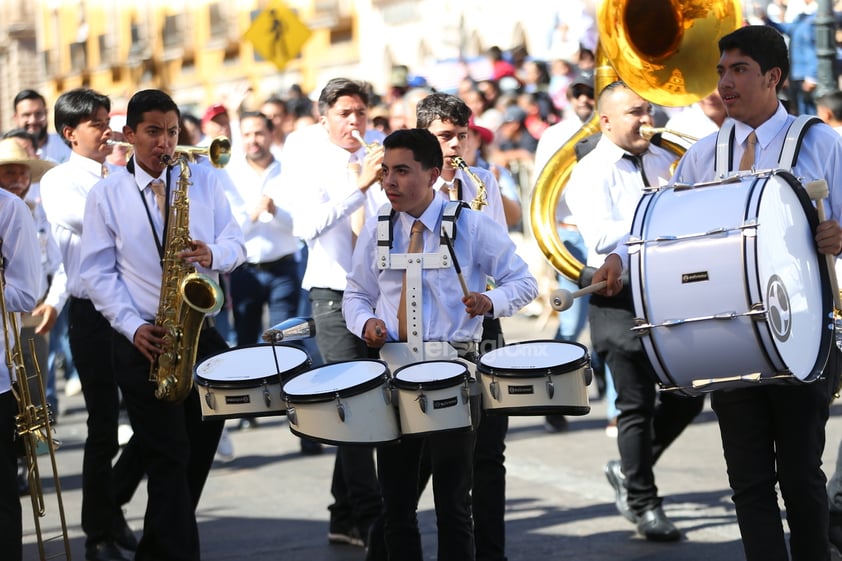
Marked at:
<point>483,248</point>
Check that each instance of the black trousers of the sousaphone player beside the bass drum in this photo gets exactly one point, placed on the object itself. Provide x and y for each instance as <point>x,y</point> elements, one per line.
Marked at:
<point>649,421</point>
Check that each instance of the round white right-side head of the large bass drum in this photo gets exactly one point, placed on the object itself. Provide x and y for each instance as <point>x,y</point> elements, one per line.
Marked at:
<point>792,278</point>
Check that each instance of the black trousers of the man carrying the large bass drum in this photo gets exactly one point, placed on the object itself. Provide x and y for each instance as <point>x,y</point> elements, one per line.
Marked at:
<point>775,435</point>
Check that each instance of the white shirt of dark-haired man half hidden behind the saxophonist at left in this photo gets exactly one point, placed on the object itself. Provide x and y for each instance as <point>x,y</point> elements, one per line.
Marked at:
<point>64,190</point>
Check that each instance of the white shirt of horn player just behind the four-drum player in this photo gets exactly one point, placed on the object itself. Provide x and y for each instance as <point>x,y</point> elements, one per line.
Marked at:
<point>322,195</point>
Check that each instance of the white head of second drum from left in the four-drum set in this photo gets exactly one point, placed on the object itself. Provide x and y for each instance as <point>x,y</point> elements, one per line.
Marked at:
<point>345,378</point>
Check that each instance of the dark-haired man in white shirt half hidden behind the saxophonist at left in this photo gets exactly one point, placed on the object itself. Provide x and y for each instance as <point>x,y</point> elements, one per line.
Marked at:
<point>82,116</point>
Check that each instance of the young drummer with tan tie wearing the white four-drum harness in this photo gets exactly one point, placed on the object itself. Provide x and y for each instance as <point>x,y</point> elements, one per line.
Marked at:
<point>411,166</point>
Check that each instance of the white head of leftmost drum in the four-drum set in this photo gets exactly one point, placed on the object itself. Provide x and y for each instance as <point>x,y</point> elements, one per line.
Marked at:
<point>251,366</point>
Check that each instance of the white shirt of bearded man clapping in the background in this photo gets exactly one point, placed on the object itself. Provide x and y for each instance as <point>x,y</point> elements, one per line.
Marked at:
<point>268,238</point>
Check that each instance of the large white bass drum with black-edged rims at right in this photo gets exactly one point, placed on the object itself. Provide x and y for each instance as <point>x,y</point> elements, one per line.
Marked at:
<point>728,287</point>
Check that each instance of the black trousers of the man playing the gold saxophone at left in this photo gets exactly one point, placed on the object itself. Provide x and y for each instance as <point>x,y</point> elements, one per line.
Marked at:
<point>177,449</point>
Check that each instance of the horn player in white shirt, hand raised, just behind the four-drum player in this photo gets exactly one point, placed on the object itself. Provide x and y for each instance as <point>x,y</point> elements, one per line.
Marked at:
<point>327,175</point>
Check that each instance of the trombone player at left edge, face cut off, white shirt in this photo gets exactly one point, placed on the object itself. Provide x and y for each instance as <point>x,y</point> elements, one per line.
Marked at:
<point>22,272</point>
